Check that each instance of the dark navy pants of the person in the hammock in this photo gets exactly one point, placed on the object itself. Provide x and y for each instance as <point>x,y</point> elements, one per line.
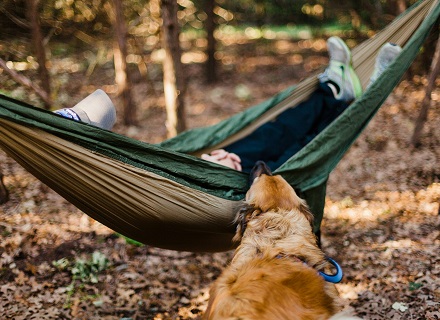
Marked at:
<point>278,140</point>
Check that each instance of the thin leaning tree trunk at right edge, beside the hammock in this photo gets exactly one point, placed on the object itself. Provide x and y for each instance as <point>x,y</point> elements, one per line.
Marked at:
<point>423,115</point>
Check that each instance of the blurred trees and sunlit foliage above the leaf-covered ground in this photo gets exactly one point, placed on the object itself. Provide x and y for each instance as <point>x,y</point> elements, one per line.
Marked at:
<point>125,38</point>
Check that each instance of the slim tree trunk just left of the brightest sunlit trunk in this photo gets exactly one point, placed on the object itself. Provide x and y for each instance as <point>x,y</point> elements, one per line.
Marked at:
<point>122,76</point>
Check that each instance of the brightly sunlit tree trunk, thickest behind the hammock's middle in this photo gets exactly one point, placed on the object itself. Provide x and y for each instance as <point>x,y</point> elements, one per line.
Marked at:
<point>173,77</point>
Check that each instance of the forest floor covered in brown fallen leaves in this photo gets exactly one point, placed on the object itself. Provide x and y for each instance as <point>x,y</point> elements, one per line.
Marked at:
<point>382,221</point>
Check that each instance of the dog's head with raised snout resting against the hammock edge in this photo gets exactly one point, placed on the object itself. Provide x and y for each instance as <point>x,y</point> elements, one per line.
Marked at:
<point>268,193</point>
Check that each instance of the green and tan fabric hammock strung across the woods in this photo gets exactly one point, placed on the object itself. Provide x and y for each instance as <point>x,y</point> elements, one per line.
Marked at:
<point>164,195</point>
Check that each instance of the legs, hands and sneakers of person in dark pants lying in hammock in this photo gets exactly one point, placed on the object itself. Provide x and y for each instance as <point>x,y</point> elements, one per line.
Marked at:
<point>278,140</point>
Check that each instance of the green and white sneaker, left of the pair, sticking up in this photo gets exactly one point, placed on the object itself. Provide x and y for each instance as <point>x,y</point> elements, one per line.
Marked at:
<point>340,75</point>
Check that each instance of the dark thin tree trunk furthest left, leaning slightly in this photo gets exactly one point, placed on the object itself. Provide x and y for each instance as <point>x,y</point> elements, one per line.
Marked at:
<point>37,39</point>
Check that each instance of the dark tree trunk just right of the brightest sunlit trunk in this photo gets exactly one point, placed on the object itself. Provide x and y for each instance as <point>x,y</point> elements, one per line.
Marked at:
<point>211,65</point>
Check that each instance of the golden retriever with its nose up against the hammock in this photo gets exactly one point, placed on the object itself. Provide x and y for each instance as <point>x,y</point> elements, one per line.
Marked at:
<point>277,270</point>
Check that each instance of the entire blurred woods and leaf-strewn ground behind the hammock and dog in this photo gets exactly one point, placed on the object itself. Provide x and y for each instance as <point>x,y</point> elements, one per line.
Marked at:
<point>220,57</point>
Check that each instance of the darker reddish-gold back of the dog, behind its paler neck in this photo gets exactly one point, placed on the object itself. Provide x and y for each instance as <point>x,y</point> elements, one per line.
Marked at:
<point>268,288</point>
